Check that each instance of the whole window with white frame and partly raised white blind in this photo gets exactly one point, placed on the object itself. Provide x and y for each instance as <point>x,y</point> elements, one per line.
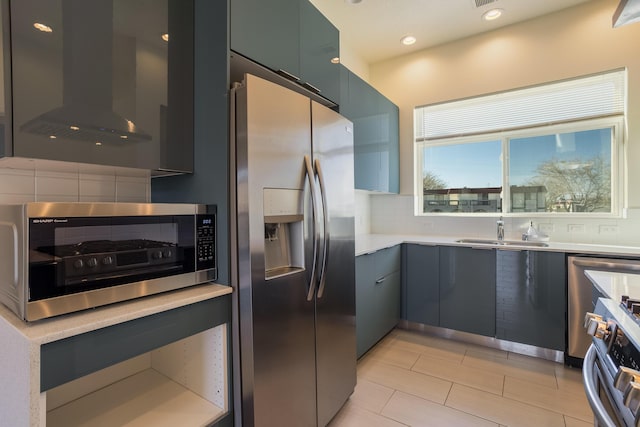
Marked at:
<point>555,149</point>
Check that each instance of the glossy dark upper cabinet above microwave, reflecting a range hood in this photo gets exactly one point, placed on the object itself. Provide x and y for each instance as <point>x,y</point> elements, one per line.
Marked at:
<point>100,85</point>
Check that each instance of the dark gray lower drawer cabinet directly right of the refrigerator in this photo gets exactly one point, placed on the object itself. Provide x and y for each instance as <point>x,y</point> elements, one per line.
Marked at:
<point>377,296</point>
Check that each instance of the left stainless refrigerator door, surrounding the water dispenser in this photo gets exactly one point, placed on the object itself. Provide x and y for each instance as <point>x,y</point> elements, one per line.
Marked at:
<point>273,135</point>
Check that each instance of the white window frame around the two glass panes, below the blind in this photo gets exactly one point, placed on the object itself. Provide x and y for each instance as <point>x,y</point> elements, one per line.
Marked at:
<point>618,166</point>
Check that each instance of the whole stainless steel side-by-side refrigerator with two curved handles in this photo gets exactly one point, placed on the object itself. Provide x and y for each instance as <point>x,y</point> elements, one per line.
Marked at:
<point>293,256</point>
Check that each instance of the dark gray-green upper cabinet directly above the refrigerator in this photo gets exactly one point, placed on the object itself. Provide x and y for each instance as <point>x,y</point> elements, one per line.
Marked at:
<point>290,36</point>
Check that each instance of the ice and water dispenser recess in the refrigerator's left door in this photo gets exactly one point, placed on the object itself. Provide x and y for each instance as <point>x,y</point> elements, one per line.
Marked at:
<point>283,231</point>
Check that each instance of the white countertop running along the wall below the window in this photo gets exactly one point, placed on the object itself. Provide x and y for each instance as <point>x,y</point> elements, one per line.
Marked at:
<point>367,243</point>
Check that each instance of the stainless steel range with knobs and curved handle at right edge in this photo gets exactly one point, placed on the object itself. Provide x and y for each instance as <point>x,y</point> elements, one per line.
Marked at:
<point>611,368</point>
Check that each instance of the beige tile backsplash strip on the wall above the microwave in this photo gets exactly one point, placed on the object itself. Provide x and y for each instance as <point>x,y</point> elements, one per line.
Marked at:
<point>23,181</point>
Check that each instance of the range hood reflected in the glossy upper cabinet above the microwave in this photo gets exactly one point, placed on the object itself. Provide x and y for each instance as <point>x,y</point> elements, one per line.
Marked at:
<point>87,80</point>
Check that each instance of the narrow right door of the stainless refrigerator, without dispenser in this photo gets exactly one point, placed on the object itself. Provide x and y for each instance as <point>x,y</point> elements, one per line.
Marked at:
<point>332,137</point>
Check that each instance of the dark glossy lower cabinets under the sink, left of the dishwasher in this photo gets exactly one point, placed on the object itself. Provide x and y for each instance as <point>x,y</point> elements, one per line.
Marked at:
<point>513,295</point>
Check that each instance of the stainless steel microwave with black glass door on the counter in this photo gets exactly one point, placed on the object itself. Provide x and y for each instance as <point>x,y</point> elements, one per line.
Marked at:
<point>58,258</point>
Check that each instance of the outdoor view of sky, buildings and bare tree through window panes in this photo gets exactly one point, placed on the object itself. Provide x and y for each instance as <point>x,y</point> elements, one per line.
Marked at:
<point>559,172</point>
